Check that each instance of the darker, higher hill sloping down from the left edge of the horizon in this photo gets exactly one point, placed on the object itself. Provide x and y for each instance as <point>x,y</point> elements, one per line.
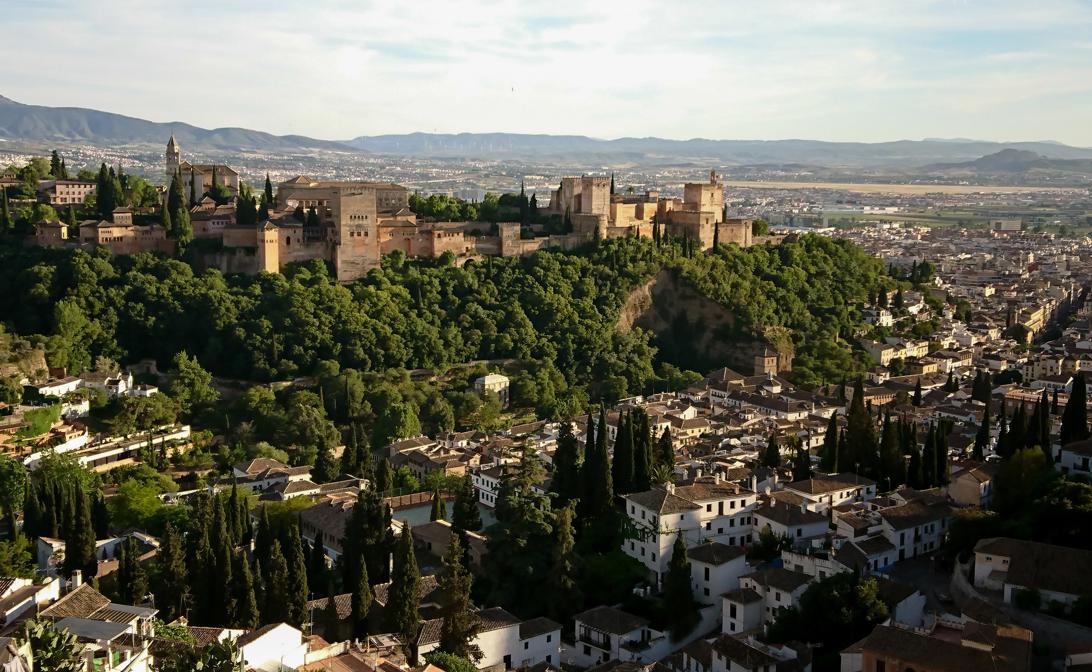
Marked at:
<point>37,123</point>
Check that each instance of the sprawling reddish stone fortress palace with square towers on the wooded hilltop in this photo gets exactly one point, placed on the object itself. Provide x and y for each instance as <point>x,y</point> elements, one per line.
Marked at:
<point>360,222</point>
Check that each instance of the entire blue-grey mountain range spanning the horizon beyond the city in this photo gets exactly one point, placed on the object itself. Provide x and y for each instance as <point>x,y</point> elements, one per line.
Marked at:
<point>37,124</point>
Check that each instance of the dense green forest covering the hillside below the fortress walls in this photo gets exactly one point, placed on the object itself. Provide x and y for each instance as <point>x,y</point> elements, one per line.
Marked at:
<point>553,308</point>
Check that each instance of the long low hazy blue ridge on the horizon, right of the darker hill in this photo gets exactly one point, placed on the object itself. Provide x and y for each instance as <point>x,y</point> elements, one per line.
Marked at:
<point>899,155</point>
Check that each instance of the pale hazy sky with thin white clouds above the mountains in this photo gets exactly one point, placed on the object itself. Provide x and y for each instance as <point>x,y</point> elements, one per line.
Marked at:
<point>750,69</point>
